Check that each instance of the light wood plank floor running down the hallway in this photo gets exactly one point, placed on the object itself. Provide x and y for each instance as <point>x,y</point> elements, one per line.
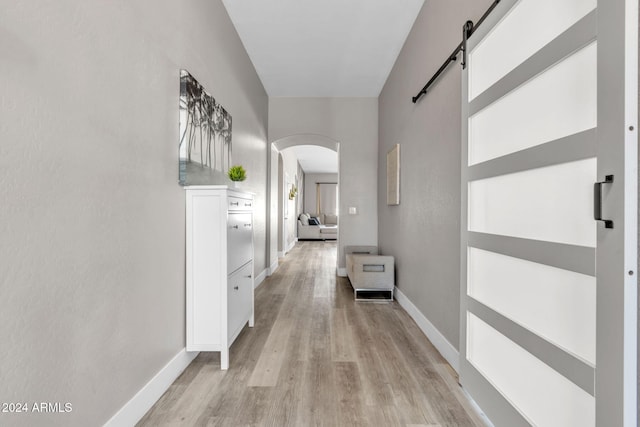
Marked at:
<point>317,358</point>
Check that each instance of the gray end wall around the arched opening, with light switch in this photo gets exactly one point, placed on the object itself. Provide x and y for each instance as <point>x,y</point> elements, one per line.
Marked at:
<point>353,122</point>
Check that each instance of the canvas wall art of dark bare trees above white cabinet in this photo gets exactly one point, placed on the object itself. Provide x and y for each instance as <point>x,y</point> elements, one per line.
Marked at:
<point>205,135</point>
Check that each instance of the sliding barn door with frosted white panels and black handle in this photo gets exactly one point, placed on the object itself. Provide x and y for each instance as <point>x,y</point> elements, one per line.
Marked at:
<point>549,293</point>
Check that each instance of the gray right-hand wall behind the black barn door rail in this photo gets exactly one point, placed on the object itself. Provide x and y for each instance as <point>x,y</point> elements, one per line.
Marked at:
<point>423,232</point>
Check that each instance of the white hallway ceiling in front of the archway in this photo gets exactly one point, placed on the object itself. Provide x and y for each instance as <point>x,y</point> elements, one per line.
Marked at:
<point>323,48</point>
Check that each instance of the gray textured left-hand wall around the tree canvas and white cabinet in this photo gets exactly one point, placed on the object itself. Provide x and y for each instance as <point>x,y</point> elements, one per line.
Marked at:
<point>92,217</point>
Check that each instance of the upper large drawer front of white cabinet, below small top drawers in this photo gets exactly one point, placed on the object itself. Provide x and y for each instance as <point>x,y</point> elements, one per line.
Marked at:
<point>239,240</point>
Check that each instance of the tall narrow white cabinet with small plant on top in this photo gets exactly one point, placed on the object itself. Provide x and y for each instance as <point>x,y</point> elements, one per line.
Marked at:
<point>219,267</point>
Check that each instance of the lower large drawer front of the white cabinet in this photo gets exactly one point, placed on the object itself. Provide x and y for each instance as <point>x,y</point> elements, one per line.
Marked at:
<point>240,288</point>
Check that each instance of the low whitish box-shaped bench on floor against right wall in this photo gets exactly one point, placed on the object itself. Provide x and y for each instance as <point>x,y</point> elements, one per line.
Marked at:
<point>369,273</point>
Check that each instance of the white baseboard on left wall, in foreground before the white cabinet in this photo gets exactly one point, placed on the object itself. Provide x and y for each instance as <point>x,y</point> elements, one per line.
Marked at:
<point>144,399</point>
